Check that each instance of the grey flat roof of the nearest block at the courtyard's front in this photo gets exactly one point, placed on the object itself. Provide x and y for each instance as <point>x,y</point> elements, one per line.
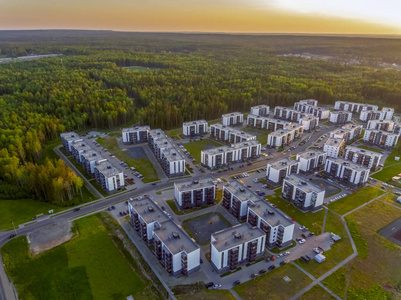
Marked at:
<point>233,236</point>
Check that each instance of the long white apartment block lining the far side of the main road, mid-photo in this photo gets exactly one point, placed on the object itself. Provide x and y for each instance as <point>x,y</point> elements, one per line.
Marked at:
<point>225,155</point>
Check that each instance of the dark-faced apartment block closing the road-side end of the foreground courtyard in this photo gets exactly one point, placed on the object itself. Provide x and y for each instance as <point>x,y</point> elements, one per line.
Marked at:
<point>195,193</point>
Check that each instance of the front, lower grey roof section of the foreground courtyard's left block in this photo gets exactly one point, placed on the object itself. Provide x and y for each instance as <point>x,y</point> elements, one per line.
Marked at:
<point>175,238</point>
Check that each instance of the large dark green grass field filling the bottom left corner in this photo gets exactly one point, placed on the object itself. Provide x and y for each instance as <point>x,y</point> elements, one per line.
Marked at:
<point>89,266</point>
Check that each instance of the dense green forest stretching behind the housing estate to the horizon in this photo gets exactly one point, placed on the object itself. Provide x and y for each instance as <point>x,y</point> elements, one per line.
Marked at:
<point>191,77</point>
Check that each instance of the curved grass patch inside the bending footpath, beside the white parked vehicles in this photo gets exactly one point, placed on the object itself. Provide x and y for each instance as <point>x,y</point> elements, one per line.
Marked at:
<point>338,252</point>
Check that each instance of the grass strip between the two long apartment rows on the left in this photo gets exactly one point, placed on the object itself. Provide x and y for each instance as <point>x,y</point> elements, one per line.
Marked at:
<point>142,165</point>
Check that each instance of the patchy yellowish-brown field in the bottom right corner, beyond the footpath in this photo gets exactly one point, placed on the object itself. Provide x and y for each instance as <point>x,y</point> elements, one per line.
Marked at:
<point>375,273</point>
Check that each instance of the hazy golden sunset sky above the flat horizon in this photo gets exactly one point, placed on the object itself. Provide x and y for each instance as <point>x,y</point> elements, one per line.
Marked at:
<point>242,16</point>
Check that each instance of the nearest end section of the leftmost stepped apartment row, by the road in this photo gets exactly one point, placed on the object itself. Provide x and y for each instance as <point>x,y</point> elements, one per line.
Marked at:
<point>108,177</point>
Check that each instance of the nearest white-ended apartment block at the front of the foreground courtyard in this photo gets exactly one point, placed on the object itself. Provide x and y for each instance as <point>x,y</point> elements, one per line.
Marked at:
<point>236,245</point>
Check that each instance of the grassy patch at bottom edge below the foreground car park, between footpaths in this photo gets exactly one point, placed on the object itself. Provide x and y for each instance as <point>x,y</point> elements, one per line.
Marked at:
<point>271,285</point>
